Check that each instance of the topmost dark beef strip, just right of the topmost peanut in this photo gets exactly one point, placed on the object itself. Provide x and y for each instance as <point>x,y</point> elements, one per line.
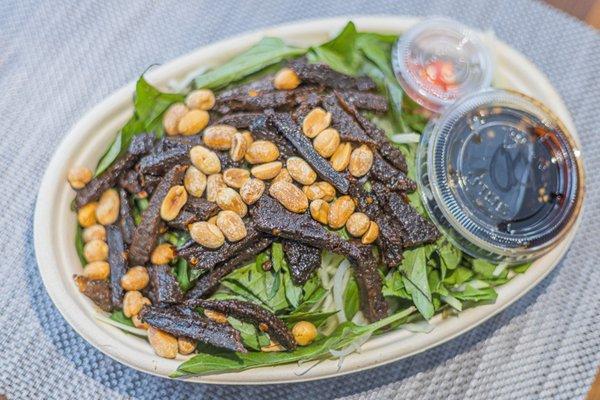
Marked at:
<point>322,74</point>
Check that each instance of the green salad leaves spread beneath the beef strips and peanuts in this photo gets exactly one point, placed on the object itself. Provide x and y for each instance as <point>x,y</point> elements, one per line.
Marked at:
<point>432,279</point>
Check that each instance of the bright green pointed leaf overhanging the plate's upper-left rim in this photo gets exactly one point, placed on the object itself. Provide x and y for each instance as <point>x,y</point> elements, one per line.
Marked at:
<point>149,106</point>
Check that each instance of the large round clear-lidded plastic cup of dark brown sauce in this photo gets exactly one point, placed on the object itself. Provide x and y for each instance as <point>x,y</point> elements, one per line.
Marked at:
<point>505,175</point>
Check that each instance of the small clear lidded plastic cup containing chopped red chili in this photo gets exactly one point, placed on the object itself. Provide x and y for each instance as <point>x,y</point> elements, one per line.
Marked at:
<point>440,60</point>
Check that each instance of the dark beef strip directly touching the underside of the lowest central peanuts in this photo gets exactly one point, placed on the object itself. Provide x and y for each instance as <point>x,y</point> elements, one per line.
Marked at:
<point>206,259</point>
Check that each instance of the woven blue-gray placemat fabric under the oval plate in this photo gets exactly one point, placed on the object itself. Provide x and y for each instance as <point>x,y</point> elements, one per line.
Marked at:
<point>59,58</point>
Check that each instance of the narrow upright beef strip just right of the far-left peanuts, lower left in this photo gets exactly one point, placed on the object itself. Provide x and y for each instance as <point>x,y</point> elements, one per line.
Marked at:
<point>118,263</point>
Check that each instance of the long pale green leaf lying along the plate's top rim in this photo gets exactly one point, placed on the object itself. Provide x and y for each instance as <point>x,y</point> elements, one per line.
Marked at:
<point>266,52</point>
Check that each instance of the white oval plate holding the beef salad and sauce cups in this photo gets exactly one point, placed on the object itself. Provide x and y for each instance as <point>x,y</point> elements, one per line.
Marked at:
<point>54,221</point>
